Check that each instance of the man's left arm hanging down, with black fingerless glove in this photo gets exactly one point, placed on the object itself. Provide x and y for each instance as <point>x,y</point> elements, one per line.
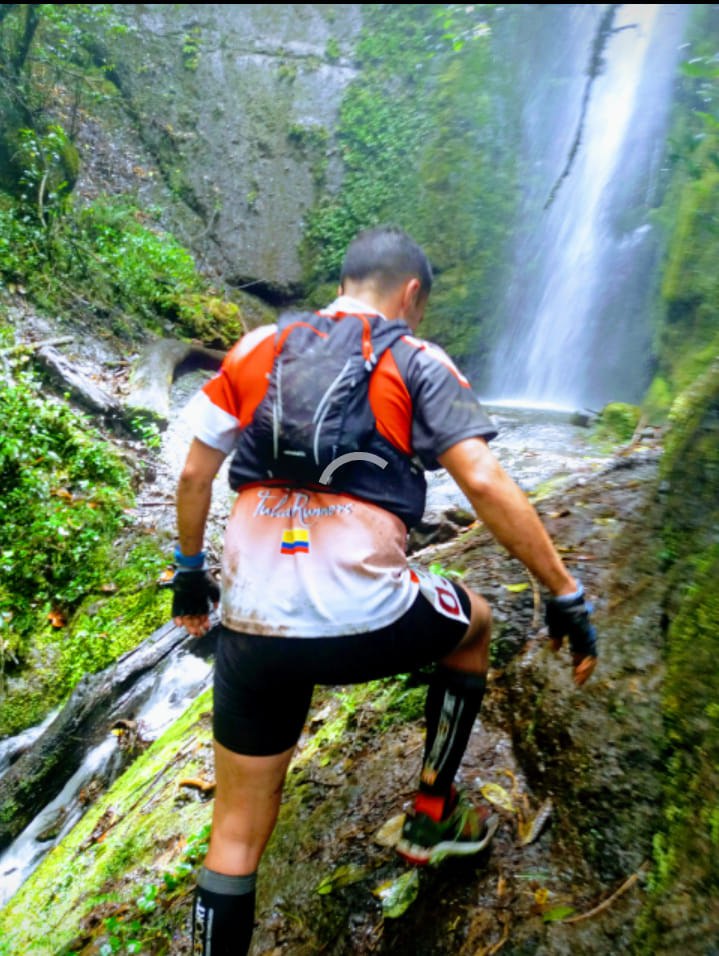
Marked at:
<point>194,589</point>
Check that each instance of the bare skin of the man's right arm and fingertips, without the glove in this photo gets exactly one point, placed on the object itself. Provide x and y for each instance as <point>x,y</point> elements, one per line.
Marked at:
<point>503,507</point>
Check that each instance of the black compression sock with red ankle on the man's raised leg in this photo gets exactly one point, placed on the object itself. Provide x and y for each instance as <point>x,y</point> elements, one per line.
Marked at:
<point>452,703</point>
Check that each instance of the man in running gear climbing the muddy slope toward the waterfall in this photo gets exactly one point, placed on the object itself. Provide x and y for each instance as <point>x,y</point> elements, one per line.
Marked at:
<point>332,418</point>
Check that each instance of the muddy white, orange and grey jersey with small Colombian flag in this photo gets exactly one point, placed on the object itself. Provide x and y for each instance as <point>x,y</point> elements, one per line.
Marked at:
<point>309,562</point>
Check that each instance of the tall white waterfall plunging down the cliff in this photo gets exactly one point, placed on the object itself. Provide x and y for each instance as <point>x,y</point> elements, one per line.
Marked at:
<point>575,323</point>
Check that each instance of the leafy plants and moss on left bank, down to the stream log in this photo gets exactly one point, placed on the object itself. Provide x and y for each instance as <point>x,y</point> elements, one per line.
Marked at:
<point>67,595</point>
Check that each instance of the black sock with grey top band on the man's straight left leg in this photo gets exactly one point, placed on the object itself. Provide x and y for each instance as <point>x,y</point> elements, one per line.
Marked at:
<point>223,914</point>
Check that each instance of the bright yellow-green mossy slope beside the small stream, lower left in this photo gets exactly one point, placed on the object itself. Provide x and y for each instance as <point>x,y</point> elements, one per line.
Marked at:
<point>150,815</point>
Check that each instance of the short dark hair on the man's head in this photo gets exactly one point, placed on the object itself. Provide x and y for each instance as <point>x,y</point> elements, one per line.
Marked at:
<point>387,255</point>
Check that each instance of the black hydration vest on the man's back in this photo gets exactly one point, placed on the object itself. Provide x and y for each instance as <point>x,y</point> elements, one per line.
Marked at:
<point>315,426</point>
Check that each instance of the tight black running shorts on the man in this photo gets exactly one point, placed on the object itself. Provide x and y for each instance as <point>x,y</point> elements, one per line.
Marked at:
<point>263,685</point>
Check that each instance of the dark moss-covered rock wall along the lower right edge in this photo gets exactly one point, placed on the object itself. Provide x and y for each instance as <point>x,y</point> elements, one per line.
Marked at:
<point>686,862</point>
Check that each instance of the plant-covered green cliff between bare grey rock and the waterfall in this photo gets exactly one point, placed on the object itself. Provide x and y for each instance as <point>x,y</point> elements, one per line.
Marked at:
<point>415,136</point>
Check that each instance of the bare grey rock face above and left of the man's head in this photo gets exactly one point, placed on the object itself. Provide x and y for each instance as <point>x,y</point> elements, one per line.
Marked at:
<point>235,105</point>
